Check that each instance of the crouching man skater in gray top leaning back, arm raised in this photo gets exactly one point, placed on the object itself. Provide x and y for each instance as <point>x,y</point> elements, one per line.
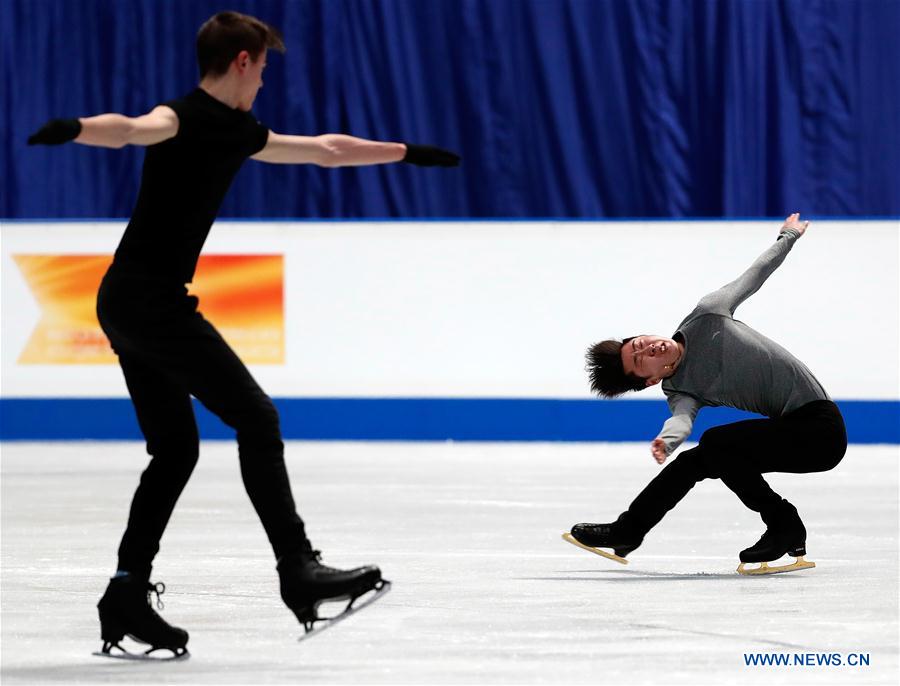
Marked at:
<point>713,359</point>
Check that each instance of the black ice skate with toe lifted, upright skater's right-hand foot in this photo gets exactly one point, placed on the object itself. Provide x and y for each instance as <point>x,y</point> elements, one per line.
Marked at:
<point>306,584</point>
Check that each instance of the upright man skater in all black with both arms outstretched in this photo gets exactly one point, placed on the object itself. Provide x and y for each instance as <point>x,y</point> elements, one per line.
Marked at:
<point>169,352</point>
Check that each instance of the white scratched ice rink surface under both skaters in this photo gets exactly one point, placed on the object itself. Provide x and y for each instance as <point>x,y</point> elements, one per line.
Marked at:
<point>485,591</point>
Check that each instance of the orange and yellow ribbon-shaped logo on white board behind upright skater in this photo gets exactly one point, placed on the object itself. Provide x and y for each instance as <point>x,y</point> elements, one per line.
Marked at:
<point>242,295</point>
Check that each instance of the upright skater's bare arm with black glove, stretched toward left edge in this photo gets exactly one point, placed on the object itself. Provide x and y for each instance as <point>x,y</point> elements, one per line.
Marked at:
<point>110,130</point>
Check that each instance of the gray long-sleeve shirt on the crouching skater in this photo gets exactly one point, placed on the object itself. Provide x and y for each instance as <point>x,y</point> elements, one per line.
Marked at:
<point>727,363</point>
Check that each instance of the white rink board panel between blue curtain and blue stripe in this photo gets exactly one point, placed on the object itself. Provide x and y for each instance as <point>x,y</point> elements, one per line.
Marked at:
<point>506,309</point>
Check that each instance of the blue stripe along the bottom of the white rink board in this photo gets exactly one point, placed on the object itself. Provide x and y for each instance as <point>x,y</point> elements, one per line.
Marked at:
<point>417,419</point>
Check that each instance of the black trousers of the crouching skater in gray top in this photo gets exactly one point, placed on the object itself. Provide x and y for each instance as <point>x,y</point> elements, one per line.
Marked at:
<point>810,439</point>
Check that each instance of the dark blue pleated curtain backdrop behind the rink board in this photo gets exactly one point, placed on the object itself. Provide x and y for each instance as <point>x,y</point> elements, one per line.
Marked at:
<point>560,108</point>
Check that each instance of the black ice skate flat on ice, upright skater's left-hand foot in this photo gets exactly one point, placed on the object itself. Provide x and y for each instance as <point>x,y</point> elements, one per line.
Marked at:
<point>125,609</point>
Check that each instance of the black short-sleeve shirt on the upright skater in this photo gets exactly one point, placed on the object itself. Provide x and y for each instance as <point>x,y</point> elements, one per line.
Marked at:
<point>183,183</point>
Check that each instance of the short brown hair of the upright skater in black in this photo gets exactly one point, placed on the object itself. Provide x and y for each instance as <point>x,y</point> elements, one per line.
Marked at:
<point>225,34</point>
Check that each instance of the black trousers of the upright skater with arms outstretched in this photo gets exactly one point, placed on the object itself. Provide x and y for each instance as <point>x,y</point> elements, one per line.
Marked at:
<point>168,353</point>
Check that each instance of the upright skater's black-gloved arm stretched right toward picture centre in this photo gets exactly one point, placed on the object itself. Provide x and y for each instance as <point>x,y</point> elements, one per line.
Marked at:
<point>338,150</point>
